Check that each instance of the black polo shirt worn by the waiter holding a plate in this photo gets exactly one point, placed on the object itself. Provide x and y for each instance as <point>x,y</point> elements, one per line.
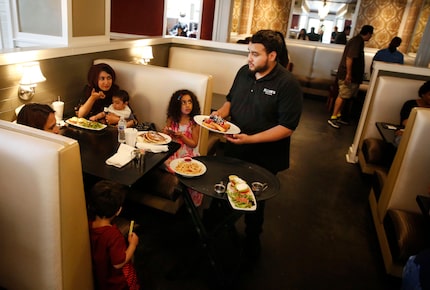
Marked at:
<point>258,105</point>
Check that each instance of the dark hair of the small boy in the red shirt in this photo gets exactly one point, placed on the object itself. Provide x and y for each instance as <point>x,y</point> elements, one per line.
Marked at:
<point>106,198</point>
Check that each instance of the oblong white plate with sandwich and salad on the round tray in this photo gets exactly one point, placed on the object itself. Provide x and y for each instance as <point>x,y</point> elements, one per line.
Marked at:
<point>240,195</point>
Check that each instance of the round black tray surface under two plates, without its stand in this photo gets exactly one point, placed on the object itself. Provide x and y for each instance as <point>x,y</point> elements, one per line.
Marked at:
<point>219,168</point>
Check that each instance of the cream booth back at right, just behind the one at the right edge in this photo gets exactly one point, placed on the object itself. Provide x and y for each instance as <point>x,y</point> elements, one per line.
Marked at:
<point>389,95</point>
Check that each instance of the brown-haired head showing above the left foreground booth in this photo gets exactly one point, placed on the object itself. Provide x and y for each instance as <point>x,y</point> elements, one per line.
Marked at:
<point>39,116</point>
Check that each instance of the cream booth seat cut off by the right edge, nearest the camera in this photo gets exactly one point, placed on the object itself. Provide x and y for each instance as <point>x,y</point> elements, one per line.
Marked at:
<point>398,220</point>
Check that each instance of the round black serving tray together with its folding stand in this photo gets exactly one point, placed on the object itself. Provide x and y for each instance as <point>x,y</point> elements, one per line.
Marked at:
<point>218,170</point>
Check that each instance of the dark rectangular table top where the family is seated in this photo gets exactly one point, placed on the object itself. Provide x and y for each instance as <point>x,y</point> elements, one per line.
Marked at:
<point>97,146</point>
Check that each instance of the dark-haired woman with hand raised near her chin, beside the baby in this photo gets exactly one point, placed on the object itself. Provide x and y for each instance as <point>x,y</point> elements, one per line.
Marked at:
<point>98,92</point>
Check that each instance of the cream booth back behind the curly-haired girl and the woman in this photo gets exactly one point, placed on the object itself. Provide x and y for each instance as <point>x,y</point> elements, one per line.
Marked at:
<point>150,88</point>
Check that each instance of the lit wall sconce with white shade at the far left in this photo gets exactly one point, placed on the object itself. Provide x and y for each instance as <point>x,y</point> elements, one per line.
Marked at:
<point>31,75</point>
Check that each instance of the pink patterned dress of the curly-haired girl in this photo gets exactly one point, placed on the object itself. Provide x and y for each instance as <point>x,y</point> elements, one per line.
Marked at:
<point>186,151</point>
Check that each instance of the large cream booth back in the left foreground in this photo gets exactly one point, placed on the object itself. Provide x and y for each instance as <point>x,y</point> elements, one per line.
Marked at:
<point>45,242</point>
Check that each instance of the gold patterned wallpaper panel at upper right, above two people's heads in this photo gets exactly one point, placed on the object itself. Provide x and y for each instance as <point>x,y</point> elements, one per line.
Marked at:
<point>385,16</point>
